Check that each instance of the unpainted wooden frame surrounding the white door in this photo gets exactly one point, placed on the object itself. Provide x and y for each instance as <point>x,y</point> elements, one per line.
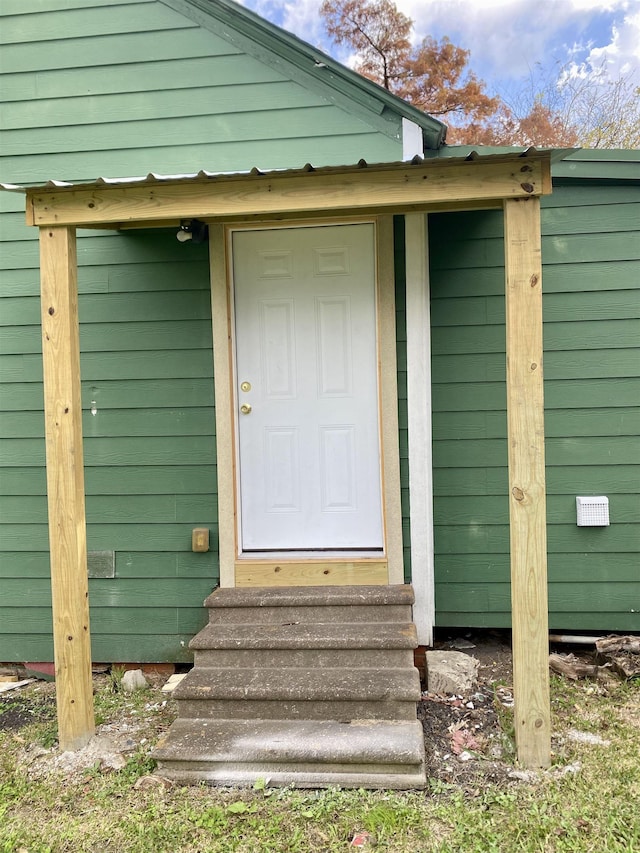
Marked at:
<point>239,570</point>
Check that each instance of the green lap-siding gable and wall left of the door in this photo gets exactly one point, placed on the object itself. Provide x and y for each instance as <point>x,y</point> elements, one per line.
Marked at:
<point>116,88</point>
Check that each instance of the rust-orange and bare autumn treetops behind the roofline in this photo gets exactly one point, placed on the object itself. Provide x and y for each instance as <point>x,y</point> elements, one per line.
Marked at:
<point>564,106</point>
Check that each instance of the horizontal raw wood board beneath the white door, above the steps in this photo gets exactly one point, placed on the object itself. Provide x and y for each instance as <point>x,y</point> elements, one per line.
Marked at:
<point>327,572</point>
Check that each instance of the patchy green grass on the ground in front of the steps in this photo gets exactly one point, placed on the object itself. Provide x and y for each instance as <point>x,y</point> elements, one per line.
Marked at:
<point>593,810</point>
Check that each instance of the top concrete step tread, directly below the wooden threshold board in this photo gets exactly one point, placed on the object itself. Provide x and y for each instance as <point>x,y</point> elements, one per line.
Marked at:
<point>310,596</point>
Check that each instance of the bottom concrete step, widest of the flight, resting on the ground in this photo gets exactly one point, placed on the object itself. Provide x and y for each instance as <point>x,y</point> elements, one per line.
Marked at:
<point>372,753</point>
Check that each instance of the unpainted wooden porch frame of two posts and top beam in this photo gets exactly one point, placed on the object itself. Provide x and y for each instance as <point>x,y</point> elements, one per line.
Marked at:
<point>513,182</point>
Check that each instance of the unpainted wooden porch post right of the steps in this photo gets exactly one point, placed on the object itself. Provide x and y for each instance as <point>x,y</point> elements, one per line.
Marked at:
<point>527,511</point>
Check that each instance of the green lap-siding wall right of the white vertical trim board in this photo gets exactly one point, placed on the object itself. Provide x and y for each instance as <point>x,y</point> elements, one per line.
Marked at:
<point>591,282</point>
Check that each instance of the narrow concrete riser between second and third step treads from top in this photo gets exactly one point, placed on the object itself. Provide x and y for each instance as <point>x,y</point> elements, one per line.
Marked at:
<point>309,658</point>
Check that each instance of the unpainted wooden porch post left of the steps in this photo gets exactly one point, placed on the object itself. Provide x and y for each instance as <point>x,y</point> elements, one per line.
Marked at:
<point>65,486</point>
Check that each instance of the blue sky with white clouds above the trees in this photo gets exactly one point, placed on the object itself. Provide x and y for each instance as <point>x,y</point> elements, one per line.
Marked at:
<point>508,39</point>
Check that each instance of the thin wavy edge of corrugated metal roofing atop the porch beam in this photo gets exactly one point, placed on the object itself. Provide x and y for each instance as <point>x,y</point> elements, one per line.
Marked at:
<point>204,175</point>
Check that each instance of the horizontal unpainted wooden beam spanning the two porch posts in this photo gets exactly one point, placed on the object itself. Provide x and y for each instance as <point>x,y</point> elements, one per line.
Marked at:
<point>385,188</point>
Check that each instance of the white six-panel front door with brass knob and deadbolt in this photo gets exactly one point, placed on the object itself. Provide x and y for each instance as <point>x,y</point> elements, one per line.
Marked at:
<point>307,389</point>
